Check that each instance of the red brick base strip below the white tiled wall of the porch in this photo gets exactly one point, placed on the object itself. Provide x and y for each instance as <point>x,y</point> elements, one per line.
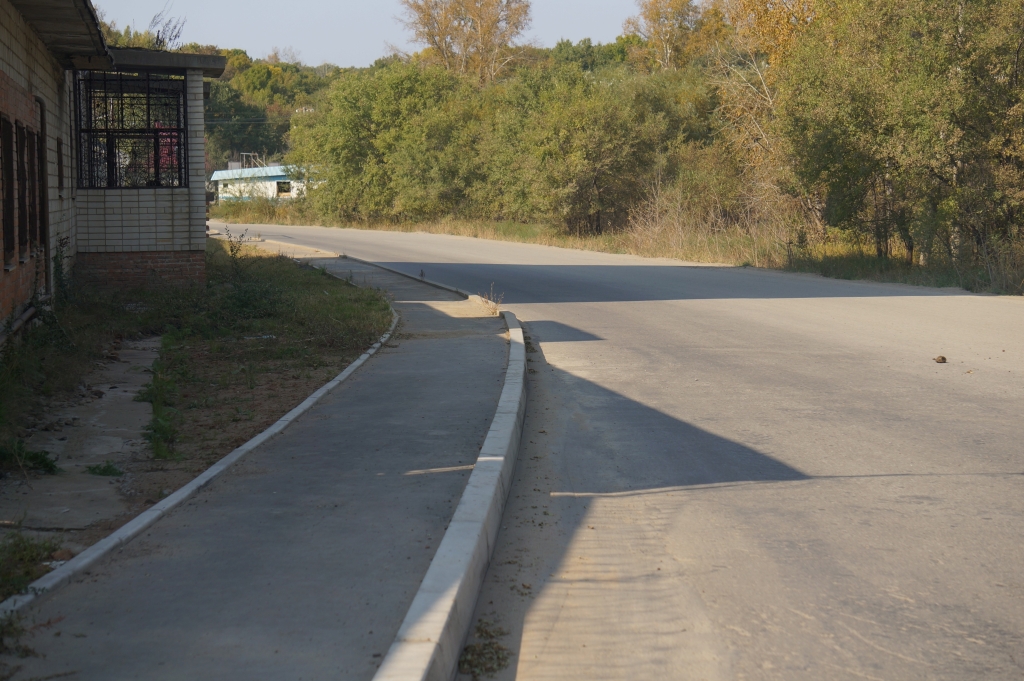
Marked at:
<point>131,269</point>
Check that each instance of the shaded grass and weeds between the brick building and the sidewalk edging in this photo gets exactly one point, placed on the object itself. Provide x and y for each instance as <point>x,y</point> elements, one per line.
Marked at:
<point>237,354</point>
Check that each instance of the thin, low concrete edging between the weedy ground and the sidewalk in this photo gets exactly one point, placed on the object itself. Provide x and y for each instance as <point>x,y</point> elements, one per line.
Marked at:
<point>140,524</point>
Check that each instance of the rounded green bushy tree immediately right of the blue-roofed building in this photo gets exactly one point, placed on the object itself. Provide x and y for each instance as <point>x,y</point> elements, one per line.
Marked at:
<point>364,144</point>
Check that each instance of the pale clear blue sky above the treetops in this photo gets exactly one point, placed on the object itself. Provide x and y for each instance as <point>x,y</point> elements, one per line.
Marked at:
<point>349,33</point>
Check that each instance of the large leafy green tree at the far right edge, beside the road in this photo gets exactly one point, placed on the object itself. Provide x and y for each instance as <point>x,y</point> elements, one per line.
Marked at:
<point>906,118</point>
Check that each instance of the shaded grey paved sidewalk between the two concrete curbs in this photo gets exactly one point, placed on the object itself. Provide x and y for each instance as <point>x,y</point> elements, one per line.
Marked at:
<point>302,561</point>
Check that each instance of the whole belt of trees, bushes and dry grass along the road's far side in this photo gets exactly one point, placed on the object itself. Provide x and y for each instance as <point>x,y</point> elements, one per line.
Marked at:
<point>878,140</point>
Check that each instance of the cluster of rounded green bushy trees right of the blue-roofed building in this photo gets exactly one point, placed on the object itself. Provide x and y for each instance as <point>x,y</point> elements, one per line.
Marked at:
<point>552,142</point>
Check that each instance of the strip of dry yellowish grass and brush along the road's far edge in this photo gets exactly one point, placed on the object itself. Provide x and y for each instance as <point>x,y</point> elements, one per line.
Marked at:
<point>697,225</point>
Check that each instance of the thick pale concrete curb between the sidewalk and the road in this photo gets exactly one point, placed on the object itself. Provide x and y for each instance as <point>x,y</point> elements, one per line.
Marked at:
<point>431,640</point>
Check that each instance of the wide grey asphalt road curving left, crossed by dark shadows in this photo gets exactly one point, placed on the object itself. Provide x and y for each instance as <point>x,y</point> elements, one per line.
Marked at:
<point>743,475</point>
